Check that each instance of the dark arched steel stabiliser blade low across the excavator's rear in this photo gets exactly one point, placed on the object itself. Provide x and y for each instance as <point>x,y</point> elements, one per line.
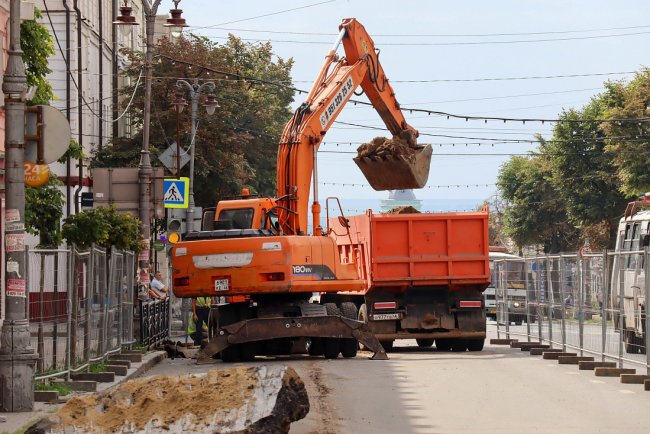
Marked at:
<point>259,329</point>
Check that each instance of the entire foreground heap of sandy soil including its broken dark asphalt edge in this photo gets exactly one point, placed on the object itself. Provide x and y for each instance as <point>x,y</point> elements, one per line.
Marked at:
<point>230,400</point>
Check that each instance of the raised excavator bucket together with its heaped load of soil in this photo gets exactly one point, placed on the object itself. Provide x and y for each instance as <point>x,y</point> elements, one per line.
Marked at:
<point>394,164</point>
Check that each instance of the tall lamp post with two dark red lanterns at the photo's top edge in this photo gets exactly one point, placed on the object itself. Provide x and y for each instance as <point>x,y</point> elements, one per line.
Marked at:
<point>145,171</point>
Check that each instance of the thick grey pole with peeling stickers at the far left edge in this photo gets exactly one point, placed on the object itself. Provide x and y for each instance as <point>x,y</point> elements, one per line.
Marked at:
<point>17,358</point>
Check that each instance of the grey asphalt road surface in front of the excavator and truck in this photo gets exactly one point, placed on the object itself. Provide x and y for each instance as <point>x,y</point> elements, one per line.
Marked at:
<point>497,390</point>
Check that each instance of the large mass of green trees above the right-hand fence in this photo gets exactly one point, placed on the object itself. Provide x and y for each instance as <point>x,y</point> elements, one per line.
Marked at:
<point>583,177</point>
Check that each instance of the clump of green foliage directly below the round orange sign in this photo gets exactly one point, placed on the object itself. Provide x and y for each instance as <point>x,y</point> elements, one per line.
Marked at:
<point>43,212</point>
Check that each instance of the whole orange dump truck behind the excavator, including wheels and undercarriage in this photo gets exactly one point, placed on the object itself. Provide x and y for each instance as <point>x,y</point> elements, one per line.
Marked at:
<point>424,274</point>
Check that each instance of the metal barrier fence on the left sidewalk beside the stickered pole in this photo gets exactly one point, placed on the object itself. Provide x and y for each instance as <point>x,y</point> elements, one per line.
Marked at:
<point>80,307</point>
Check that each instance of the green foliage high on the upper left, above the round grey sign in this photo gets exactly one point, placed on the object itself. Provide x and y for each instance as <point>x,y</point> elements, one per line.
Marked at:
<point>37,45</point>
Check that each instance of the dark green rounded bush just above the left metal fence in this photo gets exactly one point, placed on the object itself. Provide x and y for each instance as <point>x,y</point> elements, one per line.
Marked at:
<point>103,226</point>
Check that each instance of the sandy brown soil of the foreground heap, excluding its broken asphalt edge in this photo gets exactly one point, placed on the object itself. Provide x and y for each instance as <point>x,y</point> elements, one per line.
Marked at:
<point>159,402</point>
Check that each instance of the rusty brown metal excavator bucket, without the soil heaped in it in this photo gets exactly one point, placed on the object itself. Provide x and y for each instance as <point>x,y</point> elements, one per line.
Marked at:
<point>399,172</point>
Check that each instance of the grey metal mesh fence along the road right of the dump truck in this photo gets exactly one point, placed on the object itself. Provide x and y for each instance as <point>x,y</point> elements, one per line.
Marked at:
<point>592,304</point>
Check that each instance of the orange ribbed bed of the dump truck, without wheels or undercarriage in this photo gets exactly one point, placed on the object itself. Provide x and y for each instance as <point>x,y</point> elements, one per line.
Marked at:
<point>423,249</point>
